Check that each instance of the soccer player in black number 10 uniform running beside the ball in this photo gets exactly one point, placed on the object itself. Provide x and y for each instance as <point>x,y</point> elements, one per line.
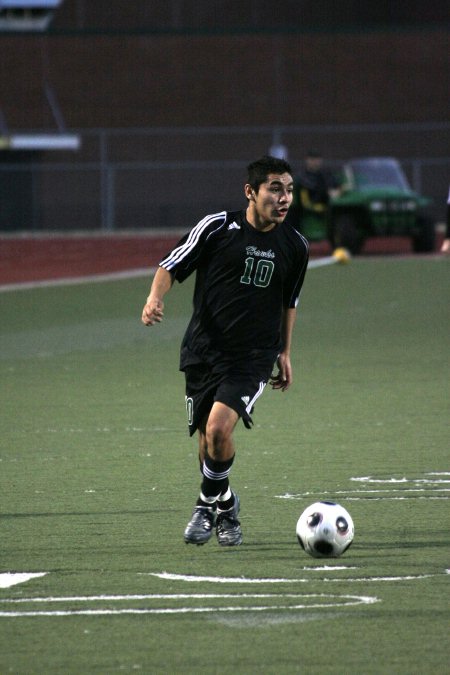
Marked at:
<point>250,267</point>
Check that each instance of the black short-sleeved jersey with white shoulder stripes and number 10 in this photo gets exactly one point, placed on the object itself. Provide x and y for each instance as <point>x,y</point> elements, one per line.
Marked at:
<point>244,280</point>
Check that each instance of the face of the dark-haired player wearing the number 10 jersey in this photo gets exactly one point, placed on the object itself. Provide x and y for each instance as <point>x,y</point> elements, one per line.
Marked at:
<point>269,206</point>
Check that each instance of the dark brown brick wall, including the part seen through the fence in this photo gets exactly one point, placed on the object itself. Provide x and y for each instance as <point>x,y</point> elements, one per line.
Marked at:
<point>124,81</point>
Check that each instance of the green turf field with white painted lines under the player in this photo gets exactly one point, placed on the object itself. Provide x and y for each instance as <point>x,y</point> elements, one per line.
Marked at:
<point>98,478</point>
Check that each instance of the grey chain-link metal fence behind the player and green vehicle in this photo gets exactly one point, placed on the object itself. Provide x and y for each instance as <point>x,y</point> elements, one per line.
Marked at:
<point>133,179</point>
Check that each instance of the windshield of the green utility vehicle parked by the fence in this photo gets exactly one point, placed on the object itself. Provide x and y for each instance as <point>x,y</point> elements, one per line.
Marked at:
<point>377,173</point>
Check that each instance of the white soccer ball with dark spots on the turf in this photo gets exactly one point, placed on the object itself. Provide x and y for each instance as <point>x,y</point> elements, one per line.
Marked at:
<point>325,530</point>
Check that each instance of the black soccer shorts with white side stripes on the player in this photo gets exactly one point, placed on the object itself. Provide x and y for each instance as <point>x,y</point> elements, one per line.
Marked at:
<point>236,383</point>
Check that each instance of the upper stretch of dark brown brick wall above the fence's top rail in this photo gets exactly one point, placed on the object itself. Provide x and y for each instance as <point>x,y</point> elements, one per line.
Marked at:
<point>122,81</point>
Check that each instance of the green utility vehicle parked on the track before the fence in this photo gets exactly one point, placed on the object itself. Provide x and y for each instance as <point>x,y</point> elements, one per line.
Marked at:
<point>376,200</point>
